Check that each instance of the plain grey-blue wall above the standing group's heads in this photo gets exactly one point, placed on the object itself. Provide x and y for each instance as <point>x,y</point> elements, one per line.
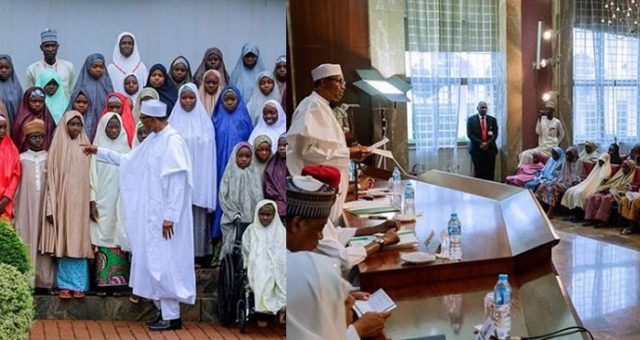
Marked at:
<point>163,29</point>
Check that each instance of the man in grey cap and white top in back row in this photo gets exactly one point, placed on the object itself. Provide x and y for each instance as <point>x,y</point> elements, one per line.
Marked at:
<point>49,47</point>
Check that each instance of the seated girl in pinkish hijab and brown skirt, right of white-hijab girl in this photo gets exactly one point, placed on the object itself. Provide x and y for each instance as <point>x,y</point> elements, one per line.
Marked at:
<point>599,204</point>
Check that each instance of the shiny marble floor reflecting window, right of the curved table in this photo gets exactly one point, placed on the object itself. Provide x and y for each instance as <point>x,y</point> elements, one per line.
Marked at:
<point>601,272</point>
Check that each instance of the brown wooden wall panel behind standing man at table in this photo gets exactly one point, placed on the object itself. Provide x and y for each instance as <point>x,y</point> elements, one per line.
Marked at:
<point>331,31</point>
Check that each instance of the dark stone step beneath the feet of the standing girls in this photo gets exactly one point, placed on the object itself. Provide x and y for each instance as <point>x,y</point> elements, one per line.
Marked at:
<point>94,307</point>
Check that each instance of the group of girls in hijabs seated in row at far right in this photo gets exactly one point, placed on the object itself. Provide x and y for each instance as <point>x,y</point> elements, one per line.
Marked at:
<point>561,182</point>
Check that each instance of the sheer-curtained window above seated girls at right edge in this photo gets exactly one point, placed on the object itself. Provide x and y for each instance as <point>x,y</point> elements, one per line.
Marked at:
<point>605,74</point>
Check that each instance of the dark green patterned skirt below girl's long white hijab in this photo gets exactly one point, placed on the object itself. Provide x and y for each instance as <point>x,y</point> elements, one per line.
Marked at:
<point>112,267</point>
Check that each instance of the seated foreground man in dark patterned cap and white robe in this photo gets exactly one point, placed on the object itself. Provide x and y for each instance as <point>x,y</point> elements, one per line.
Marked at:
<point>318,300</point>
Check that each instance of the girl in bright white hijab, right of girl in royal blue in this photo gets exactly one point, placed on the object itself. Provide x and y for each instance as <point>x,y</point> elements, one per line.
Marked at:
<point>272,122</point>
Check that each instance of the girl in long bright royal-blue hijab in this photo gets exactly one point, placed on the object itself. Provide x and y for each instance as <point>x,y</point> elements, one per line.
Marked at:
<point>232,125</point>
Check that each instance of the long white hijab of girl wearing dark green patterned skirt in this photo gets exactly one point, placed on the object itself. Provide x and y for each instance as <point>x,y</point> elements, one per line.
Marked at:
<point>105,190</point>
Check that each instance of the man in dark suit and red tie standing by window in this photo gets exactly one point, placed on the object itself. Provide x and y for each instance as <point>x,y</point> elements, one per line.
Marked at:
<point>482,130</point>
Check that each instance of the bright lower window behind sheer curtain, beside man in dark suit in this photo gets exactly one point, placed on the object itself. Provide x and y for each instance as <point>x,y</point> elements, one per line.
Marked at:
<point>464,79</point>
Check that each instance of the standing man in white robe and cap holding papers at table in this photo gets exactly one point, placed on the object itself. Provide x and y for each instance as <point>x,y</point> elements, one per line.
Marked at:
<point>316,137</point>
